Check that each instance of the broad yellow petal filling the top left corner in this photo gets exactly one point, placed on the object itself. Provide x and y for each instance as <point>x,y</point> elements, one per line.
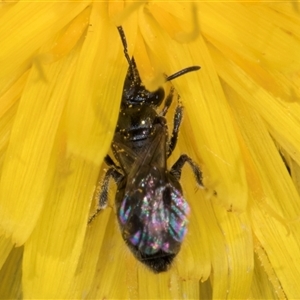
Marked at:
<point>23,36</point>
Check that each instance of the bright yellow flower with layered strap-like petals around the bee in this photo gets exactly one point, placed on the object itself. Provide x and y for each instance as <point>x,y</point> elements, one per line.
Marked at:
<point>61,79</point>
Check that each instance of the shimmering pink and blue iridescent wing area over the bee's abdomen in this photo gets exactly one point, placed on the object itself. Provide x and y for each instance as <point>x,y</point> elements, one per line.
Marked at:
<point>154,218</point>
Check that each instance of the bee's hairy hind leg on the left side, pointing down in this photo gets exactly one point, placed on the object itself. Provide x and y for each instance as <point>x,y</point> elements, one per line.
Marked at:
<point>114,173</point>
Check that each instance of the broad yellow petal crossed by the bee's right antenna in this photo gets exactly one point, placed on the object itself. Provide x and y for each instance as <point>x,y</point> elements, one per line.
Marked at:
<point>205,102</point>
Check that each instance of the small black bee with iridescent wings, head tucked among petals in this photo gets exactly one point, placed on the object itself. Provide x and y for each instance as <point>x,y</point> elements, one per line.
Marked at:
<point>151,210</point>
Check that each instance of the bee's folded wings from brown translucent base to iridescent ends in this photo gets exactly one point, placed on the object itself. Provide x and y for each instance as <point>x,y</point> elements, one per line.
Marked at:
<point>153,212</point>
